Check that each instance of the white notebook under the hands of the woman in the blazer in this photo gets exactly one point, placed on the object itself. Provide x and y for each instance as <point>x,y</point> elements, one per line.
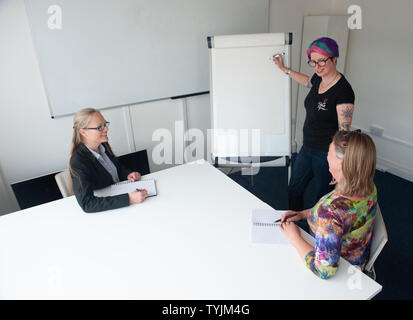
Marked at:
<point>127,187</point>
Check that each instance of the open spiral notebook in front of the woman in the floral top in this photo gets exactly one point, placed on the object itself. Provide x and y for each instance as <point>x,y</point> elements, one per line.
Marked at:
<point>263,228</point>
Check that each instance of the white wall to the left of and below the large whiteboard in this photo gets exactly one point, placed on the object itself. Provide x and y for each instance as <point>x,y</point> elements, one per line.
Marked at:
<point>33,144</point>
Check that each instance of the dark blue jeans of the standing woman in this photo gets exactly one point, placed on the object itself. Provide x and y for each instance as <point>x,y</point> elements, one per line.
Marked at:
<point>308,164</point>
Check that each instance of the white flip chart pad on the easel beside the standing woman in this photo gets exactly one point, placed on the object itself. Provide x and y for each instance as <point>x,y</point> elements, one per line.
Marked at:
<point>250,96</point>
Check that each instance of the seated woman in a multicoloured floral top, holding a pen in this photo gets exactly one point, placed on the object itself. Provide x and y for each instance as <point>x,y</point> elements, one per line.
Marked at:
<point>342,220</point>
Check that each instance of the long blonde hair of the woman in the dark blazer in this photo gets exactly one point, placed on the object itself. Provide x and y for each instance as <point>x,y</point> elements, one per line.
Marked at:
<point>81,120</point>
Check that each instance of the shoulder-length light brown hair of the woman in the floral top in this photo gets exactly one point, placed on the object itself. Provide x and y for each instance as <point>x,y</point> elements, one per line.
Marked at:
<point>358,152</point>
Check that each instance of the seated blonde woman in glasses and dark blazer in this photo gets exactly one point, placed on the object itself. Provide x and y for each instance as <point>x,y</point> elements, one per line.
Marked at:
<point>93,165</point>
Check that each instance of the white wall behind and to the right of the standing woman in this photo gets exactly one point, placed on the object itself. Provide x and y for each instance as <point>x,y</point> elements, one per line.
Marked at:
<point>378,66</point>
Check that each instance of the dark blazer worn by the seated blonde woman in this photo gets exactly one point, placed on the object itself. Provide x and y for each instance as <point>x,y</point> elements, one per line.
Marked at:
<point>89,175</point>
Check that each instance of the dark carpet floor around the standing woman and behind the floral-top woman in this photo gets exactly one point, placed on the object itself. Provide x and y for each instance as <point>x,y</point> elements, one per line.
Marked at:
<point>393,266</point>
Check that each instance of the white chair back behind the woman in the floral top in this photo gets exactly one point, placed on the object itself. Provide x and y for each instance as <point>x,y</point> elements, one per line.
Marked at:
<point>378,242</point>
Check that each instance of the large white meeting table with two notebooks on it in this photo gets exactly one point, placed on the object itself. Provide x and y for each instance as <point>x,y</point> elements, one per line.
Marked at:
<point>192,241</point>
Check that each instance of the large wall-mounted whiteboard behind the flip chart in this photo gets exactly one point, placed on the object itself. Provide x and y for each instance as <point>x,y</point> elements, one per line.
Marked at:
<point>112,53</point>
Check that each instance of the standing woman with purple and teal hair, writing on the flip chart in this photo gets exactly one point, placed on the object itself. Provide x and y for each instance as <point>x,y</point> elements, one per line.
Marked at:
<point>329,107</point>
